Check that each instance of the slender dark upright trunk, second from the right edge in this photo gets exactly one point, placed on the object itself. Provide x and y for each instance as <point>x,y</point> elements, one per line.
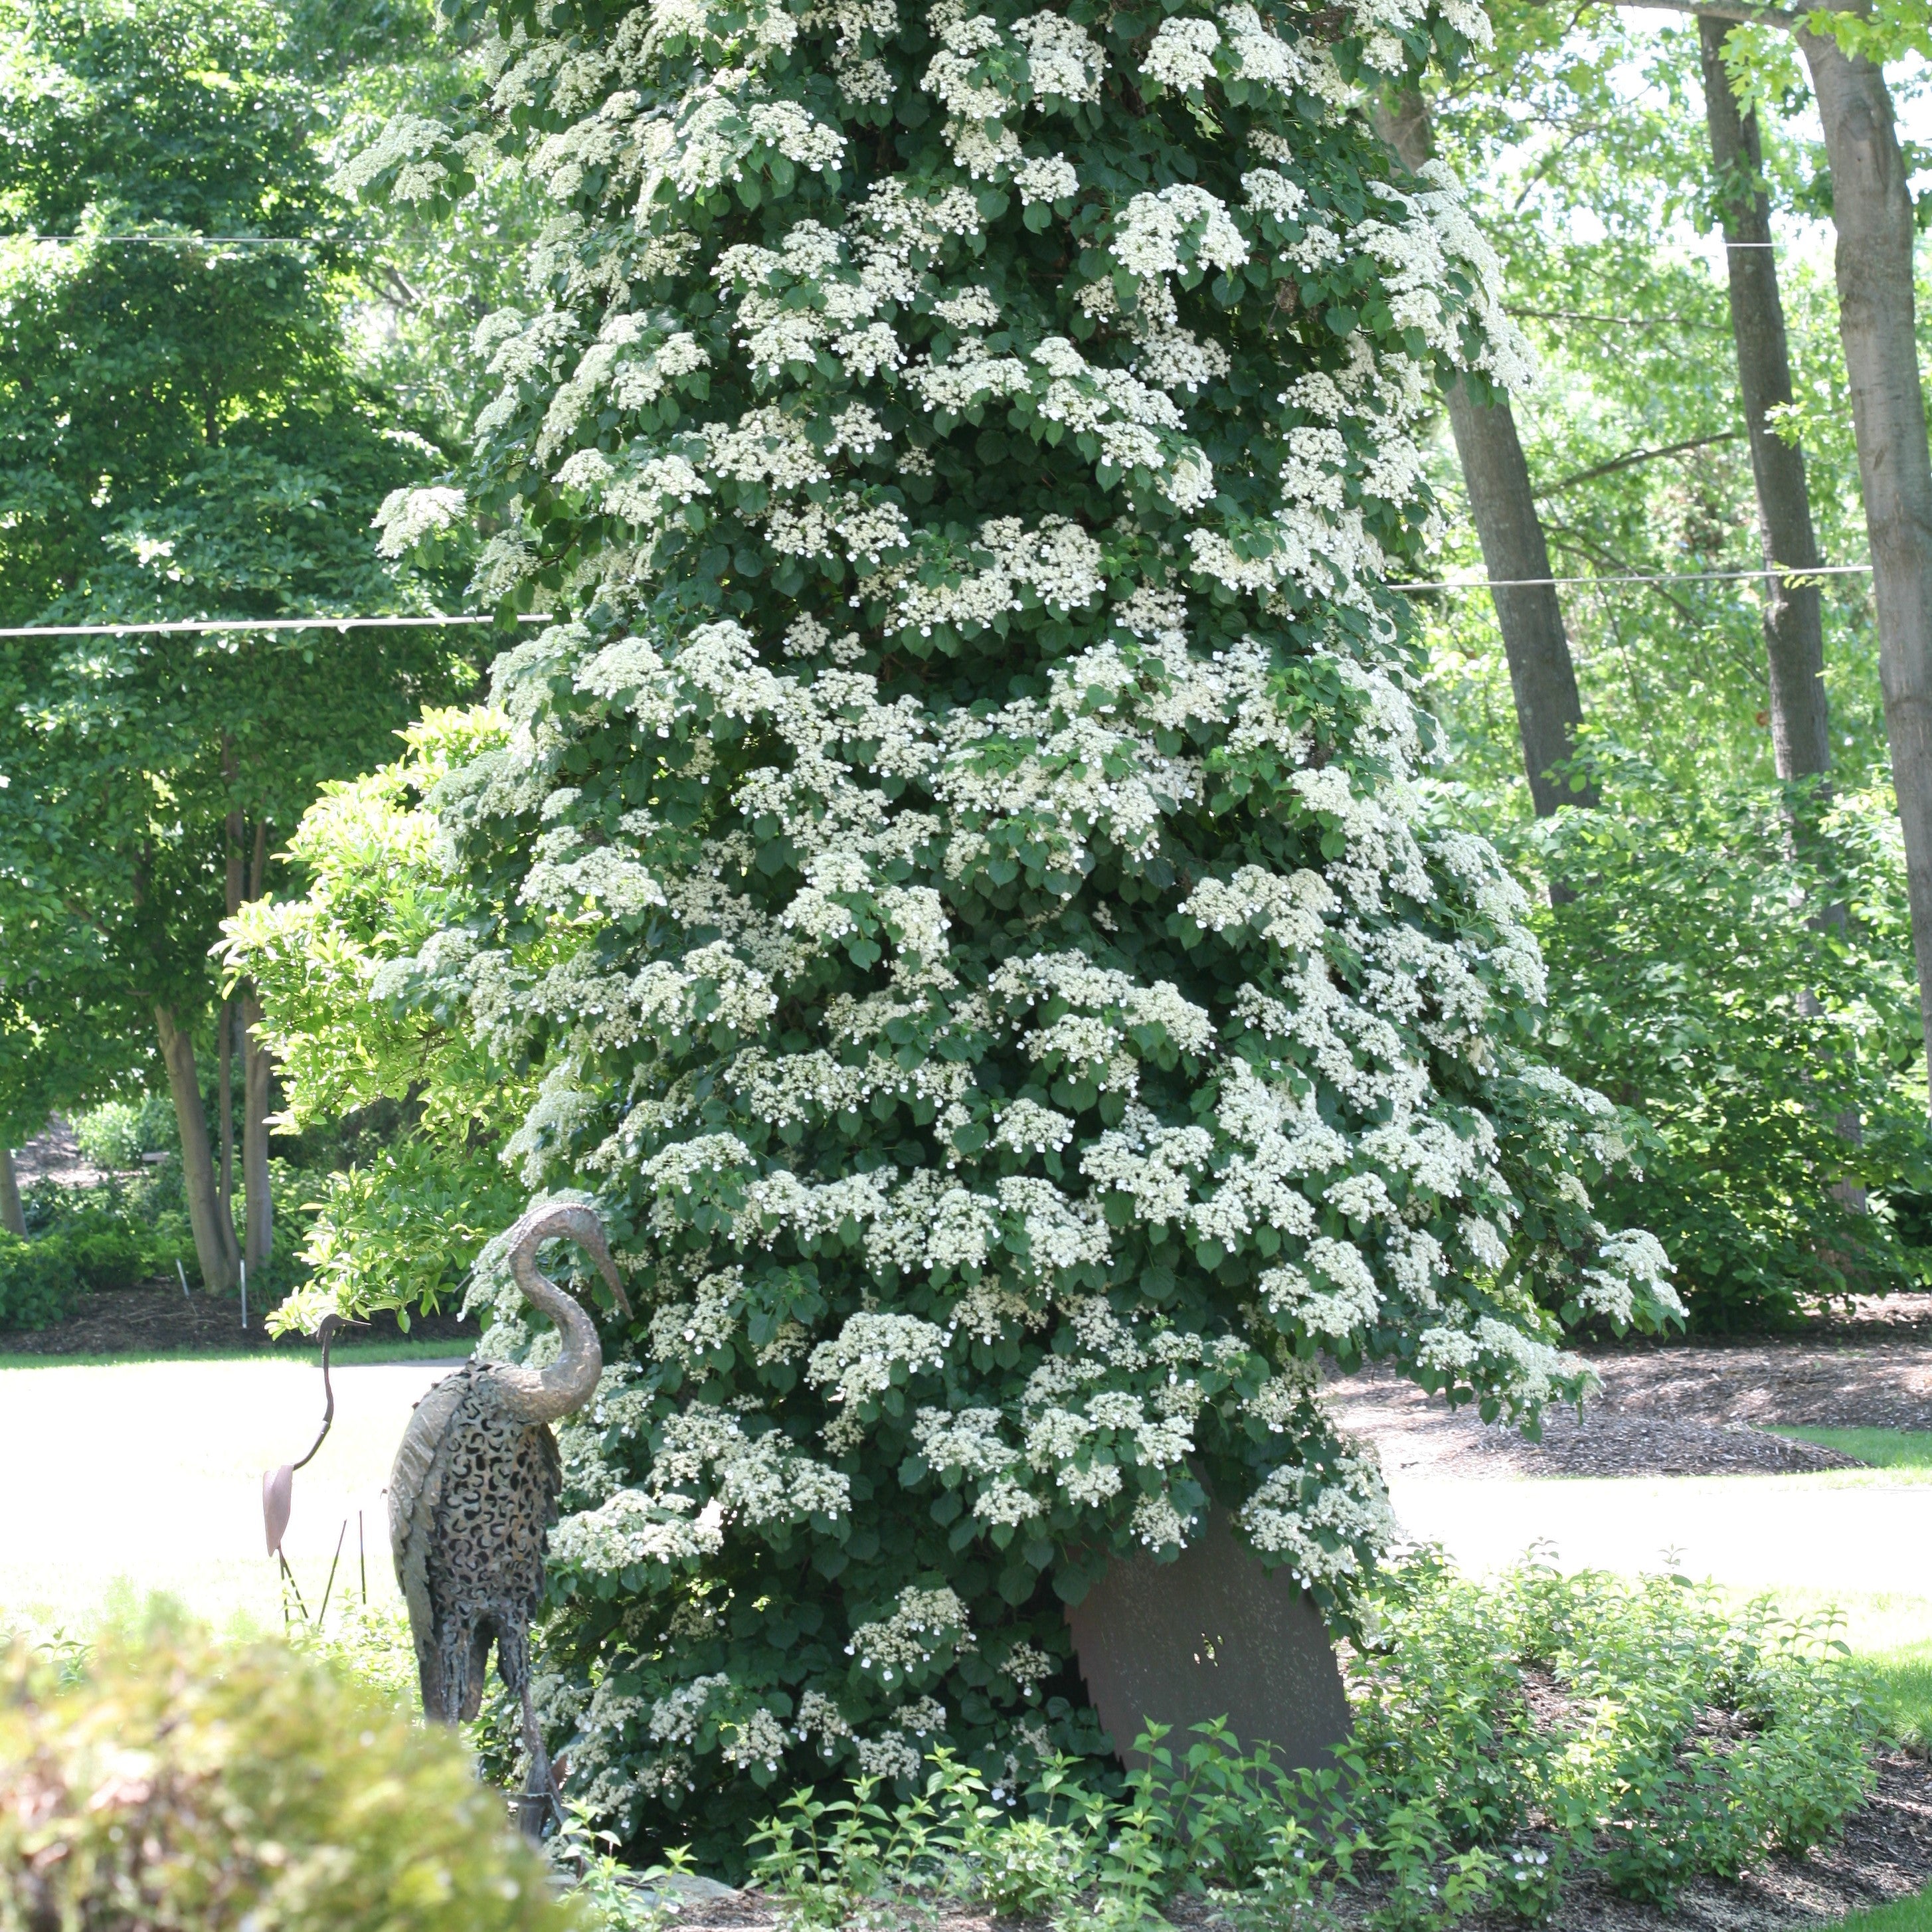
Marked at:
<point>1794,619</point>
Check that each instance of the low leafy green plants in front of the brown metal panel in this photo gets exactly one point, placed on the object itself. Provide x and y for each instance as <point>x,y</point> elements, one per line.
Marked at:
<point>1508,1740</point>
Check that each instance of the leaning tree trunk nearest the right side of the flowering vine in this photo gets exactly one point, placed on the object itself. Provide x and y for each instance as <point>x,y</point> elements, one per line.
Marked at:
<point>1512,534</point>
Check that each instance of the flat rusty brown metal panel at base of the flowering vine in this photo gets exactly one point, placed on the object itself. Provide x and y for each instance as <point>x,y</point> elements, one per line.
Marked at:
<point>1210,1635</point>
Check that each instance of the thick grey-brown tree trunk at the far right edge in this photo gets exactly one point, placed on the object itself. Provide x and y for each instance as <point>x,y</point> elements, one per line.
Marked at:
<point>1873,212</point>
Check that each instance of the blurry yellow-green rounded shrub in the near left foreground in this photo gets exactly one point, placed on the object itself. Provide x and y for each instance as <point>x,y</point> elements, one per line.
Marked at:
<point>183,1786</point>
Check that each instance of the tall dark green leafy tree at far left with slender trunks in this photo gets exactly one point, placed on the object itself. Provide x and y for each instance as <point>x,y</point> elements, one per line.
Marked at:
<point>183,436</point>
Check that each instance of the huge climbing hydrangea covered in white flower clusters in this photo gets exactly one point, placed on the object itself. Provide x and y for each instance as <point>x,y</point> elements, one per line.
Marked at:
<point>957,855</point>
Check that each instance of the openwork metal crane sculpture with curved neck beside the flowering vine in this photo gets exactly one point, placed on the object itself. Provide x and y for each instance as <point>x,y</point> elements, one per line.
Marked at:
<point>474,1492</point>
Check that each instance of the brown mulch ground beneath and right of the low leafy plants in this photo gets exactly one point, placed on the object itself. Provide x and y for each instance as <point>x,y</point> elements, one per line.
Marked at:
<point>1885,1856</point>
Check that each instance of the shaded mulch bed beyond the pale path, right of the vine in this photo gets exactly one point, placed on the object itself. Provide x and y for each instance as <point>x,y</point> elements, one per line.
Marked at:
<point>1682,1409</point>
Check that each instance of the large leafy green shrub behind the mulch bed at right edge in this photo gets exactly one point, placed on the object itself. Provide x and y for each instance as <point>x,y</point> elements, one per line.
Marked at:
<point>1749,992</point>
